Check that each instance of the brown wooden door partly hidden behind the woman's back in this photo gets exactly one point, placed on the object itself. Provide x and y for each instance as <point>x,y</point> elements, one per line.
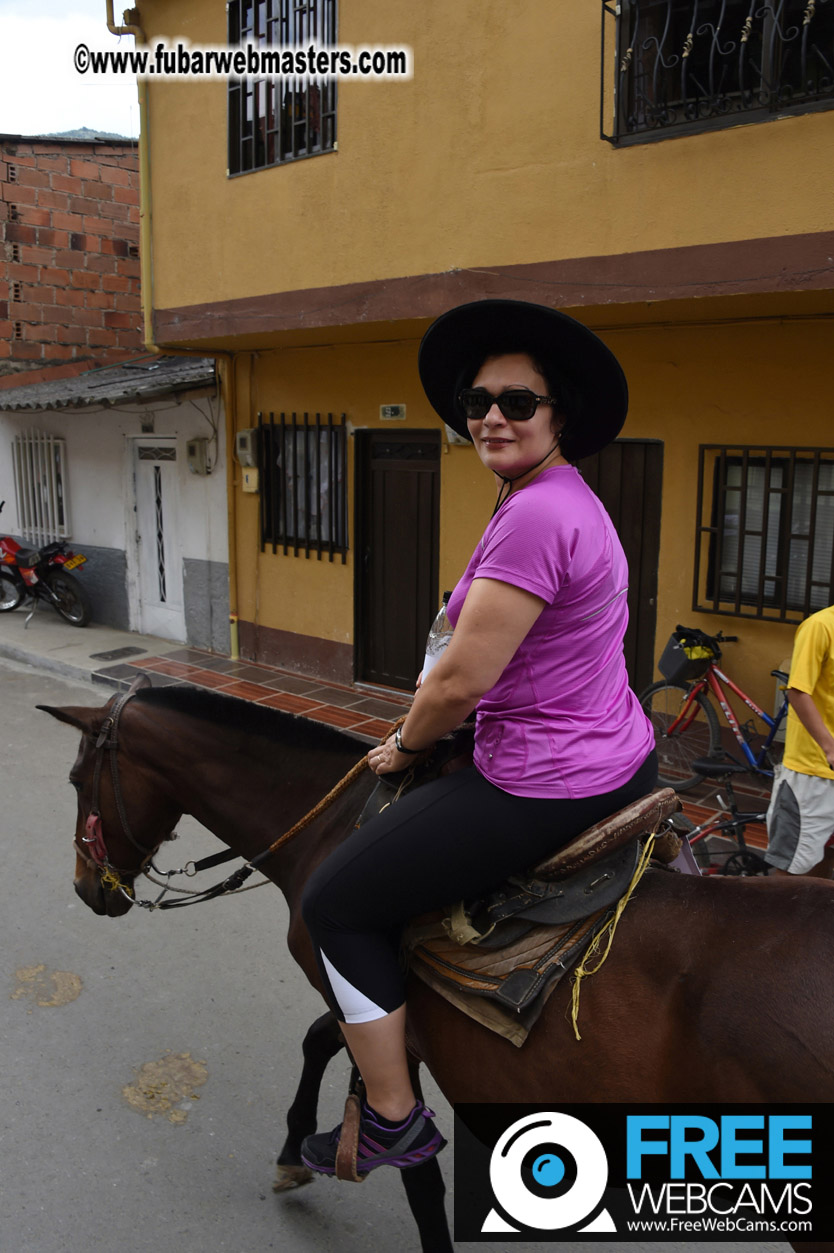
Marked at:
<point>628,478</point>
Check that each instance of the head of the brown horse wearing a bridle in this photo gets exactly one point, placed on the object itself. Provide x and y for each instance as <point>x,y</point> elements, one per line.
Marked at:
<point>120,824</point>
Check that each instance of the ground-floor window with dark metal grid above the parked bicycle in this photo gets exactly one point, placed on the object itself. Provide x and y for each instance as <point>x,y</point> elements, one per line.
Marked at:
<point>768,548</point>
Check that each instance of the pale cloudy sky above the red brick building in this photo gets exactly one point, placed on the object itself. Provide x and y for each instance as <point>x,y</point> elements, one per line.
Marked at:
<point>41,91</point>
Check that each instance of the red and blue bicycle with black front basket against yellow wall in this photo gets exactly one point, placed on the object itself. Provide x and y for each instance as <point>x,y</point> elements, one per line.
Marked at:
<point>686,722</point>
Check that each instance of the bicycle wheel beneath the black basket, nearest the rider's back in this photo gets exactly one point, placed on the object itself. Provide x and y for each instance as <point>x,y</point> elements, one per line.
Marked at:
<point>701,736</point>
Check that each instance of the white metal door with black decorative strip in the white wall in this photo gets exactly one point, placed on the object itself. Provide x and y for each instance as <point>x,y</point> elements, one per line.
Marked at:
<point>158,546</point>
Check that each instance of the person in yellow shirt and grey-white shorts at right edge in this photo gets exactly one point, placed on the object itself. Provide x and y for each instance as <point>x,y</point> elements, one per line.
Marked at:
<point>801,818</point>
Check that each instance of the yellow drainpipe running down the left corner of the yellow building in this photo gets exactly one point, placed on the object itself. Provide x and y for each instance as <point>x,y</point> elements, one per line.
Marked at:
<point>132,27</point>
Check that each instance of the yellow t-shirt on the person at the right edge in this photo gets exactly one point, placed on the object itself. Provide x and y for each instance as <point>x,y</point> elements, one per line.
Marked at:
<point>812,671</point>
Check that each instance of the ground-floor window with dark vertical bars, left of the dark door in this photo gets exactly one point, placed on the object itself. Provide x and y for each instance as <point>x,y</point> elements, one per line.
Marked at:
<point>304,477</point>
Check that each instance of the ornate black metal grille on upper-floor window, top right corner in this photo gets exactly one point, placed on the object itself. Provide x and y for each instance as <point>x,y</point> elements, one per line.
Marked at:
<point>687,66</point>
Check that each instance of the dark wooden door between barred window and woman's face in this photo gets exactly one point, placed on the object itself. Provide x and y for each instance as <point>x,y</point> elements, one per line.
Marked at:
<point>398,528</point>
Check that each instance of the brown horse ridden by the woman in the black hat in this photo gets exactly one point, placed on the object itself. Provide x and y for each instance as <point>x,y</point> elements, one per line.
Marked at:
<point>716,989</point>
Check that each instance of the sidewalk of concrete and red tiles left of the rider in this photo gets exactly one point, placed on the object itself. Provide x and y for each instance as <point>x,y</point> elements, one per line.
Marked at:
<point>113,658</point>
